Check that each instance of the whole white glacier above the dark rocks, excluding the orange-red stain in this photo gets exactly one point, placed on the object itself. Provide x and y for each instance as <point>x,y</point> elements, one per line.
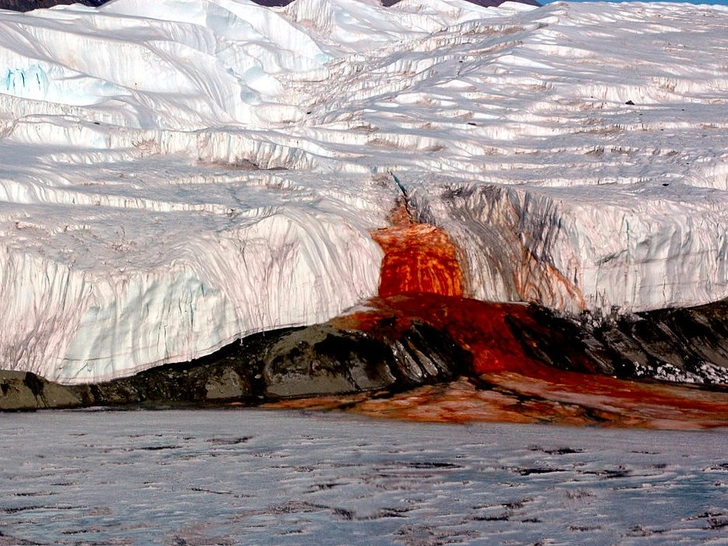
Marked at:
<point>181,174</point>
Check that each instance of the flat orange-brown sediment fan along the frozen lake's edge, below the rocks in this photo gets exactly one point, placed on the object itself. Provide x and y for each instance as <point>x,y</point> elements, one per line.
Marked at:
<point>515,399</point>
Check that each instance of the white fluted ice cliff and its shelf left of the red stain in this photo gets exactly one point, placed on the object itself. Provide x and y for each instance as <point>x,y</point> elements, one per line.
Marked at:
<point>112,268</point>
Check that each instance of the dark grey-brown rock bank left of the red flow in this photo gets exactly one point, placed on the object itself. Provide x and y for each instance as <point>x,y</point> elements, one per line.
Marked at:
<point>290,363</point>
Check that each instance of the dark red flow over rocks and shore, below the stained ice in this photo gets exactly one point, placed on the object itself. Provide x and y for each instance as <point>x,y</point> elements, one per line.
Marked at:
<point>509,384</point>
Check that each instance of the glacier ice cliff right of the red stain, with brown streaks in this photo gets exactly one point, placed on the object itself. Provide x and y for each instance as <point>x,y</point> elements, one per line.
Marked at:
<point>603,248</point>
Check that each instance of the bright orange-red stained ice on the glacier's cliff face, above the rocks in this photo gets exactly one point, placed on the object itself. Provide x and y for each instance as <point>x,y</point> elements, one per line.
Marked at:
<point>417,258</point>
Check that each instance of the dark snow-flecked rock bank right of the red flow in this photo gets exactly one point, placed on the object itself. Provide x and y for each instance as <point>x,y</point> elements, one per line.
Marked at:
<point>684,345</point>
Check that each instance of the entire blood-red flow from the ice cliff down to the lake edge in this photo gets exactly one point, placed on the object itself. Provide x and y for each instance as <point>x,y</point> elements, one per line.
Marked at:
<point>511,379</point>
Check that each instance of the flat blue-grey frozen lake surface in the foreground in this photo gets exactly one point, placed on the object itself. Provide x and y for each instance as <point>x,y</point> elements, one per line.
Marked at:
<point>269,477</point>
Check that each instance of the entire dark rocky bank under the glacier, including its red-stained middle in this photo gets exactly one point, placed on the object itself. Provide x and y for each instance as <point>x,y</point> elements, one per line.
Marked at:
<point>406,342</point>
